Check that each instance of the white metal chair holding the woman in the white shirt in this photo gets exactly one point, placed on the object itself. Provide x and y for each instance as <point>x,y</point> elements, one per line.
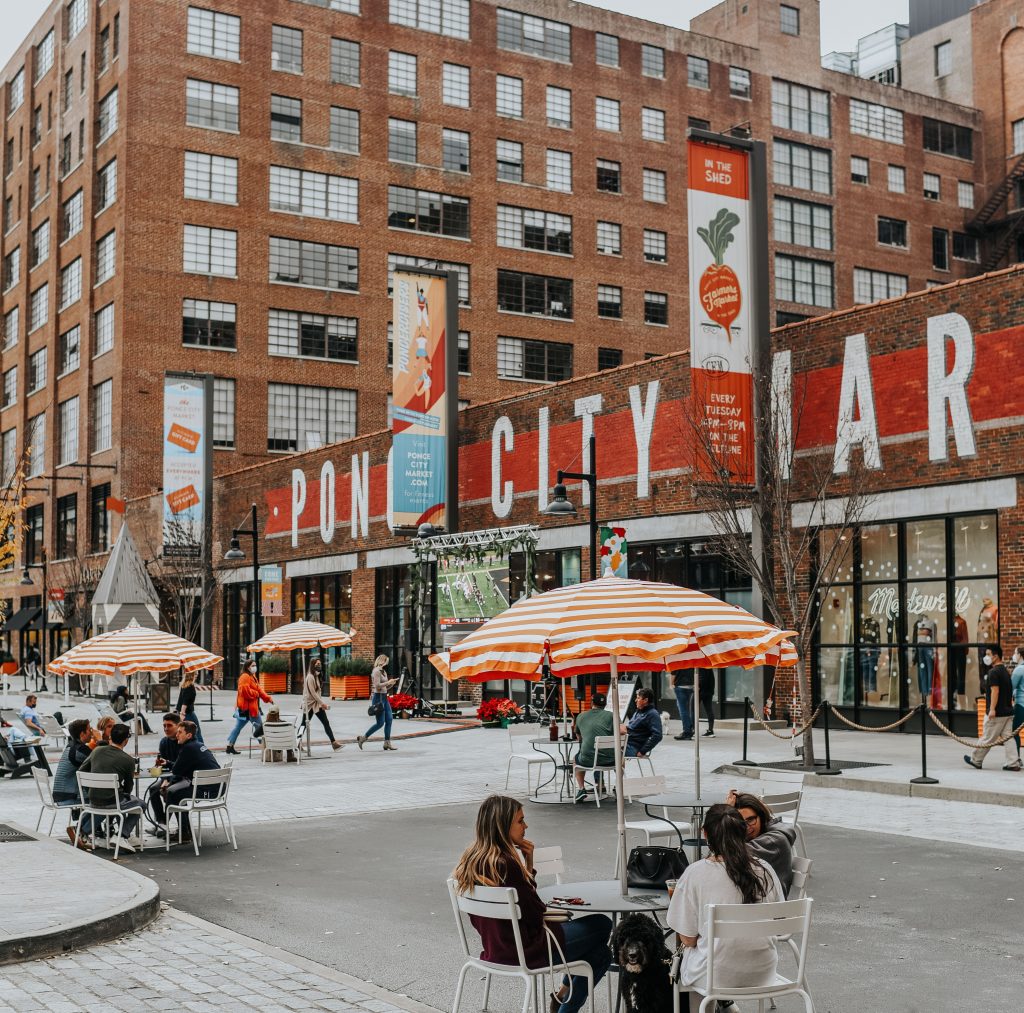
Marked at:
<point>754,922</point>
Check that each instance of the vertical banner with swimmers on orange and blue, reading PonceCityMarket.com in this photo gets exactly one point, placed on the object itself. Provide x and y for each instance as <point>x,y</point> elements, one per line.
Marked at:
<point>425,398</point>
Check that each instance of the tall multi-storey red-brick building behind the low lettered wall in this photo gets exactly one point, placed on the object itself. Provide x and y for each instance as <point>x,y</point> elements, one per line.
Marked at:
<point>225,187</point>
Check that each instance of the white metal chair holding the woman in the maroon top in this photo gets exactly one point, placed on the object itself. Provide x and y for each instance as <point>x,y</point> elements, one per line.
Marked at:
<point>502,904</point>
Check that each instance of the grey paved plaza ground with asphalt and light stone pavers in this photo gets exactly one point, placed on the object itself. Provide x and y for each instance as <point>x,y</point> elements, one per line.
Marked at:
<point>343,862</point>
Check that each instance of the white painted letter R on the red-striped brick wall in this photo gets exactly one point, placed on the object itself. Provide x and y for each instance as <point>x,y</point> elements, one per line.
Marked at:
<point>950,389</point>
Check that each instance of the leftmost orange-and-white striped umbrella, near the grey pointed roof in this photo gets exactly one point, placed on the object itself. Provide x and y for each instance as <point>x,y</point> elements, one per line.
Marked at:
<point>135,649</point>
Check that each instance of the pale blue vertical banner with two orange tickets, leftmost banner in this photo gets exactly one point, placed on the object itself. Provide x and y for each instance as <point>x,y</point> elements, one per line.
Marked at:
<point>187,463</point>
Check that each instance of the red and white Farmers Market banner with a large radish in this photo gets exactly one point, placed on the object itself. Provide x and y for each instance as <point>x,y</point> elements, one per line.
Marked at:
<point>722,312</point>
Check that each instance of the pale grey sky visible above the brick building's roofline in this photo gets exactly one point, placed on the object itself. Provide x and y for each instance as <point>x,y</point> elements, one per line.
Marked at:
<point>842,22</point>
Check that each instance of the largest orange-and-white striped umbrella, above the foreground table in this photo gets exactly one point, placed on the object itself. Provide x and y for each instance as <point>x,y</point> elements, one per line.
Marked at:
<point>643,624</point>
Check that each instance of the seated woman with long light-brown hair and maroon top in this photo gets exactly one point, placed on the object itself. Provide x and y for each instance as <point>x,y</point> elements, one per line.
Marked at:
<point>502,856</point>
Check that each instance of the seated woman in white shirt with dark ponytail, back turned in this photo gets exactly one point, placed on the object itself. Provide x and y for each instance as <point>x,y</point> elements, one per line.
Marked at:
<point>731,876</point>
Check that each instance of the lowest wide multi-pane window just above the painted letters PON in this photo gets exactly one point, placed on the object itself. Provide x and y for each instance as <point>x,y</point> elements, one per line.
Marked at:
<point>303,418</point>
